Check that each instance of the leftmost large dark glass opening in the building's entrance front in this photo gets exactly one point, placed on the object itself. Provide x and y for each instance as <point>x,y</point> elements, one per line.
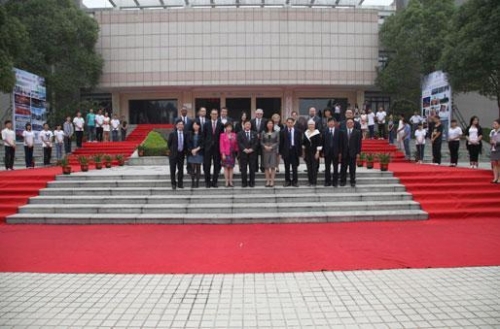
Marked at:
<point>153,111</point>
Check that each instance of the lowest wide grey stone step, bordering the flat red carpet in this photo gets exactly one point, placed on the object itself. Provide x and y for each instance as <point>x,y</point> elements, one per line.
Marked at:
<point>241,218</point>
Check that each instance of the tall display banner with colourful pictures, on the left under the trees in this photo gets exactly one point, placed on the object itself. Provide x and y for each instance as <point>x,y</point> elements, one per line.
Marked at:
<point>30,103</point>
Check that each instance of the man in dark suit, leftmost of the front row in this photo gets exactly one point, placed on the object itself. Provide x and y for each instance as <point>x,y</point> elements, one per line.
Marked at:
<point>178,148</point>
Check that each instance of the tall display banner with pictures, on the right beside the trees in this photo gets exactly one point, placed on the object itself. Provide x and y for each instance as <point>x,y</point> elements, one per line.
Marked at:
<point>436,98</point>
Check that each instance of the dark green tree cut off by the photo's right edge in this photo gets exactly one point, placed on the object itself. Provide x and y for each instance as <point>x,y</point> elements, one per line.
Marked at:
<point>472,53</point>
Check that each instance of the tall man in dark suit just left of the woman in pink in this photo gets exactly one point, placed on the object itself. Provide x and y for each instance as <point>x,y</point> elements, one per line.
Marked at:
<point>211,136</point>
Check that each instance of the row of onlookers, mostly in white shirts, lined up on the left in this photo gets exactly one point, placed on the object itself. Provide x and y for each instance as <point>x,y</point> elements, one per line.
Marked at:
<point>99,127</point>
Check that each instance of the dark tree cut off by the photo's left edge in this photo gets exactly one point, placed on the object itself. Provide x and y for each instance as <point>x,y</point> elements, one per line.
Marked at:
<point>13,42</point>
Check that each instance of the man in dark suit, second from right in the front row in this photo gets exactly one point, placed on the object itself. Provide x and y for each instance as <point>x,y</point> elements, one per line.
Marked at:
<point>332,147</point>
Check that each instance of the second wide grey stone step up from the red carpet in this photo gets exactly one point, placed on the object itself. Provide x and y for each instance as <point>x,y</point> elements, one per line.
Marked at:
<point>223,208</point>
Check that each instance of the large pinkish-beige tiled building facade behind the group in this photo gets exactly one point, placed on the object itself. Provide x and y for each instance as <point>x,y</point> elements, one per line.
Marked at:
<point>278,59</point>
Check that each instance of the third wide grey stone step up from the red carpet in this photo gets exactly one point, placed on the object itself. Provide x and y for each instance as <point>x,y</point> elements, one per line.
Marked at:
<point>327,196</point>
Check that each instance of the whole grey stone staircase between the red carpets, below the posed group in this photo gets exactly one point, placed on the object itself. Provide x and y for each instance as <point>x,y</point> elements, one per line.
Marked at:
<point>124,195</point>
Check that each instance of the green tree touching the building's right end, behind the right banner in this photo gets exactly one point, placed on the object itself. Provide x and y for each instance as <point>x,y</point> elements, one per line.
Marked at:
<point>413,40</point>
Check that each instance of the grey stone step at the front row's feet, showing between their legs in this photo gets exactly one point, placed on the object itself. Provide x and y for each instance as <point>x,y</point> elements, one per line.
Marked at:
<point>106,183</point>
